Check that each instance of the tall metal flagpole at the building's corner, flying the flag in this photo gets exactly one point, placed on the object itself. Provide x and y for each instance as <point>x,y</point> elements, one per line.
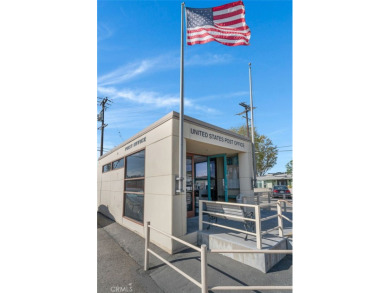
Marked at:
<point>181,175</point>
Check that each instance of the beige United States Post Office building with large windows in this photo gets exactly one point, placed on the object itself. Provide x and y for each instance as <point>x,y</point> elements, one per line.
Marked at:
<point>137,179</point>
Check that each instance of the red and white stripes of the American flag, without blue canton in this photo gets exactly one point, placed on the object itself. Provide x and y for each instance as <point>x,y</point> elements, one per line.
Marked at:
<point>230,27</point>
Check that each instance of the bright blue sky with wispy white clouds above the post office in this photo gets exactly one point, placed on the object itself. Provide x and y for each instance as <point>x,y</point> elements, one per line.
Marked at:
<point>138,55</point>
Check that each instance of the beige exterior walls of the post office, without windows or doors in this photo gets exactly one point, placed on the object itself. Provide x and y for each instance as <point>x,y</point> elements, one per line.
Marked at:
<point>162,207</point>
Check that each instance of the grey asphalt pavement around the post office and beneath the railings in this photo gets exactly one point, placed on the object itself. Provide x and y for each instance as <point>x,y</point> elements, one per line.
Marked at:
<point>126,266</point>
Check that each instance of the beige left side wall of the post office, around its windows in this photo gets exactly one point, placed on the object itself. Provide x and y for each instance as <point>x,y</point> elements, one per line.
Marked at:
<point>158,183</point>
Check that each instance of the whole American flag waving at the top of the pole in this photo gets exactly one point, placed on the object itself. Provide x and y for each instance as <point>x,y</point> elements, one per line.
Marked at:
<point>224,24</point>
